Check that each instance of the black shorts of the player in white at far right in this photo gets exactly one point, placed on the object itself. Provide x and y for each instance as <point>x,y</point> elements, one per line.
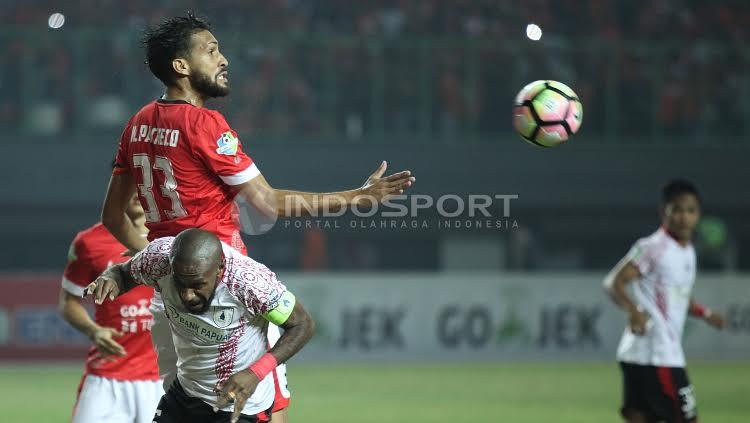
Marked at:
<point>658,393</point>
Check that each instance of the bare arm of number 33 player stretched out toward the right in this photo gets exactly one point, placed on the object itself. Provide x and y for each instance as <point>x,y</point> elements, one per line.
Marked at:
<point>287,203</point>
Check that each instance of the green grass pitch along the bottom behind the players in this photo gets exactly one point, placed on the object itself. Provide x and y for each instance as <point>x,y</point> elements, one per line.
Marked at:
<point>505,392</point>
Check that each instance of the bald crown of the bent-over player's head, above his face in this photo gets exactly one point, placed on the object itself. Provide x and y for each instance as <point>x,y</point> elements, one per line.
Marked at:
<point>195,251</point>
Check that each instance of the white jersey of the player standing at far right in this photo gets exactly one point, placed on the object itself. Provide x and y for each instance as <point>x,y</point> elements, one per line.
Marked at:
<point>663,291</point>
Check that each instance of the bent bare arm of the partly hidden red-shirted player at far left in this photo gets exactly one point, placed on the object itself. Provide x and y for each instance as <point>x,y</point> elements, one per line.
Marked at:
<point>75,313</point>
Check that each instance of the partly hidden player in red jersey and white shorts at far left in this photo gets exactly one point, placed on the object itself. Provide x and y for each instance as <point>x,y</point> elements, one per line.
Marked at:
<point>121,368</point>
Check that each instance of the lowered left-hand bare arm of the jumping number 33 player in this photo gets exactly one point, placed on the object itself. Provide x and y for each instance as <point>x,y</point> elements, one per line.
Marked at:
<point>114,216</point>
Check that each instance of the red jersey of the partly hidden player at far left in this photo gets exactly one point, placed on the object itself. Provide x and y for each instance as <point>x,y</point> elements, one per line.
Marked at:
<point>92,251</point>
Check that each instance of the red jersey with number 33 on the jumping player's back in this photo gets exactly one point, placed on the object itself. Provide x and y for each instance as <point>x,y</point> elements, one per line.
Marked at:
<point>185,160</point>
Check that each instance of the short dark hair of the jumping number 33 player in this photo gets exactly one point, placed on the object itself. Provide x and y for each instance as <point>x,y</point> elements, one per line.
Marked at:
<point>169,40</point>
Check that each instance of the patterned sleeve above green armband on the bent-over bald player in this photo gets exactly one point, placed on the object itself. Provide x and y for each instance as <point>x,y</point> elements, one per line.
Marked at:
<point>256,287</point>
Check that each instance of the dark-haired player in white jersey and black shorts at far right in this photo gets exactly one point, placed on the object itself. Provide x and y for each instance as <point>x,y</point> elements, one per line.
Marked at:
<point>661,269</point>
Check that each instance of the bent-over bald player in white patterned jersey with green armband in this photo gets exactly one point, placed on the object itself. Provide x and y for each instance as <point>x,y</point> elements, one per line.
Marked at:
<point>219,304</point>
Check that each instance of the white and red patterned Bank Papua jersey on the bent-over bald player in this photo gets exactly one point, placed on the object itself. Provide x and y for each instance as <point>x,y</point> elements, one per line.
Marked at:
<point>230,335</point>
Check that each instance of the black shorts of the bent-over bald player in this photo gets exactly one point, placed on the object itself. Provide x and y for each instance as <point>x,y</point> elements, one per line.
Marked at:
<point>177,407</point>
